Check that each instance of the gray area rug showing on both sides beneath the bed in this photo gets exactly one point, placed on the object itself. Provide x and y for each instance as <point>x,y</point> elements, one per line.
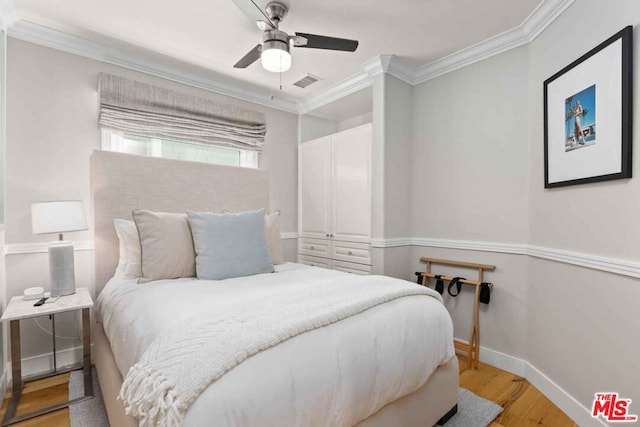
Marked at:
<point>473,411</point>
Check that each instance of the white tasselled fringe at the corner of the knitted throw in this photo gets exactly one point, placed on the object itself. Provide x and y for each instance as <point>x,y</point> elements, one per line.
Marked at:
<point>148,396</point>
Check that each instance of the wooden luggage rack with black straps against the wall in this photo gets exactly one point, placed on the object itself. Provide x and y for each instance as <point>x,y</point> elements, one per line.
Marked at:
<point>472,349</point>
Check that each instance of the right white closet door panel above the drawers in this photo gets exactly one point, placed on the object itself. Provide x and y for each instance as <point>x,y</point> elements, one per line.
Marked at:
<point>351,174</point>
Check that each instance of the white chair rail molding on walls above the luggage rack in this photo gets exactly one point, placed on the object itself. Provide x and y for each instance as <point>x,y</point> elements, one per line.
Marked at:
<point>622,267</point>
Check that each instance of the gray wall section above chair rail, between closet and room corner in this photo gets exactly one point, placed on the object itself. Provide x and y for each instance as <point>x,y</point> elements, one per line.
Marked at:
<point>470,150</point>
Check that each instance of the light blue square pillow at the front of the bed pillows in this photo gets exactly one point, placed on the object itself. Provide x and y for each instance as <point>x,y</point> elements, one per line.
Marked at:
<point>230,244</point>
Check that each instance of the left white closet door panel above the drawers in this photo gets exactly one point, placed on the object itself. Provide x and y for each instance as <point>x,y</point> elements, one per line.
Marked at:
<point>314,188</point>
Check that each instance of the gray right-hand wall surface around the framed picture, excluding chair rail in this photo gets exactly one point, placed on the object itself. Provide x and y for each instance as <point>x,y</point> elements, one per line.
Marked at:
<point>586,318</point>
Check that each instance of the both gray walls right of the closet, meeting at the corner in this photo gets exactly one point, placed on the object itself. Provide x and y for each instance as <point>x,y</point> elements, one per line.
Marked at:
<point>477,175</point>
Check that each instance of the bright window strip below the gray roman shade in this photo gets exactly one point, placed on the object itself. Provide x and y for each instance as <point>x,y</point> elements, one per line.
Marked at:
<point>145,146</point>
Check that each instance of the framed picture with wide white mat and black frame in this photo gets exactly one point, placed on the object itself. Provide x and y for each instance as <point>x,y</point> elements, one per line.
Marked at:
<point>587,116</point>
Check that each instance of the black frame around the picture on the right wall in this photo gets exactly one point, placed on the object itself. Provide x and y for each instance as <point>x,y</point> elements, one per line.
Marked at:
<point>626,119</point>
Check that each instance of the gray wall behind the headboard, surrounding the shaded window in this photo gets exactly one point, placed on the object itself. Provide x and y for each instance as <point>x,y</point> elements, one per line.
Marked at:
<point>53,127</point>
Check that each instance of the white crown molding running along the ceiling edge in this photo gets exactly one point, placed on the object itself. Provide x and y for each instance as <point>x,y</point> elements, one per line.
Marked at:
<point>546,12</point>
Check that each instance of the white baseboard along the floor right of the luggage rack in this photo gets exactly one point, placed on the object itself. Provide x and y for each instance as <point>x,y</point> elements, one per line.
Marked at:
<point>556,394</point>
